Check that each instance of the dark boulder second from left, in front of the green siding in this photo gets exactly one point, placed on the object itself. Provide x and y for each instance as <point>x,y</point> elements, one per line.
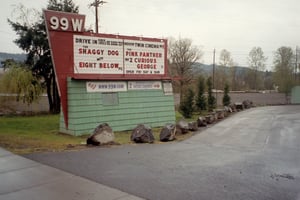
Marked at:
<point>142,134</point>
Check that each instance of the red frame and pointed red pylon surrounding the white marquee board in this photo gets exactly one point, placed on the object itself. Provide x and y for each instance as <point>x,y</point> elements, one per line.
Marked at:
<point>57,38</point>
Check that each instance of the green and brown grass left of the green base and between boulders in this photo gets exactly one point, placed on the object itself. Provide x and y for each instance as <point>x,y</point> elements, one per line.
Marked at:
<point>28,134</point>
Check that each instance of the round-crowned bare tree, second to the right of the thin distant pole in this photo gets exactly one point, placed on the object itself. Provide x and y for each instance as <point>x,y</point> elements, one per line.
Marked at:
<point>256,61</point>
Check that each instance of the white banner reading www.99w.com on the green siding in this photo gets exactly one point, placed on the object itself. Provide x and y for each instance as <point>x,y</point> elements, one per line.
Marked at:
<point>106,86</point>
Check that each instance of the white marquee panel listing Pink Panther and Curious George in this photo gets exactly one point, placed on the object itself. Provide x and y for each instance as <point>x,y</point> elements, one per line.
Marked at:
<point>143,57</point>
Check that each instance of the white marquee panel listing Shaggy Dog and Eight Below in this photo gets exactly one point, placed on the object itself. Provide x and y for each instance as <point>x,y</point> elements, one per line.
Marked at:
<point>94,55</point>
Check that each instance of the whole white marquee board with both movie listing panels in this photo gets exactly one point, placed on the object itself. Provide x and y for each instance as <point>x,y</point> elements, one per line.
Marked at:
<point>98,55</point>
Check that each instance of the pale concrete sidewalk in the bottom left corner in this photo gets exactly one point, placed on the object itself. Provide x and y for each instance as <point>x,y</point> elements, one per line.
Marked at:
<point>23,179</point>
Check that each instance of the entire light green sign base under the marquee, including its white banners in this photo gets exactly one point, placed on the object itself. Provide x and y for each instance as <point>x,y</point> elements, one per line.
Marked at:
<point>134,102</point>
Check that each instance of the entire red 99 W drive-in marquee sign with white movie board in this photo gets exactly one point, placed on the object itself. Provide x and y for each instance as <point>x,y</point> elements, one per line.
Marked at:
<point>81,54</point>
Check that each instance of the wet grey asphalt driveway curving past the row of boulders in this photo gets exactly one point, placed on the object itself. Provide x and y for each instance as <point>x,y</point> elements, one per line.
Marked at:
<point>254,154</point>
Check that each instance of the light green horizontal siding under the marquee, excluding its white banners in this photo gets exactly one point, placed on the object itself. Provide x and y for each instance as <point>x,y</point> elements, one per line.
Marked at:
<point>86,110</point>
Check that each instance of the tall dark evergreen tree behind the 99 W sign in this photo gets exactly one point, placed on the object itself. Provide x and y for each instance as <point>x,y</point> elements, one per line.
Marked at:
<point>32,38</point>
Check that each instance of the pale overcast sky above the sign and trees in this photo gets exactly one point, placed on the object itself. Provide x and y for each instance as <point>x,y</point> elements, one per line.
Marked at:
<point>234,25</point>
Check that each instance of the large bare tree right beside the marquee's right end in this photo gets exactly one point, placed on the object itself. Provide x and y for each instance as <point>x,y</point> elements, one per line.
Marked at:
<point>182,56</point>
